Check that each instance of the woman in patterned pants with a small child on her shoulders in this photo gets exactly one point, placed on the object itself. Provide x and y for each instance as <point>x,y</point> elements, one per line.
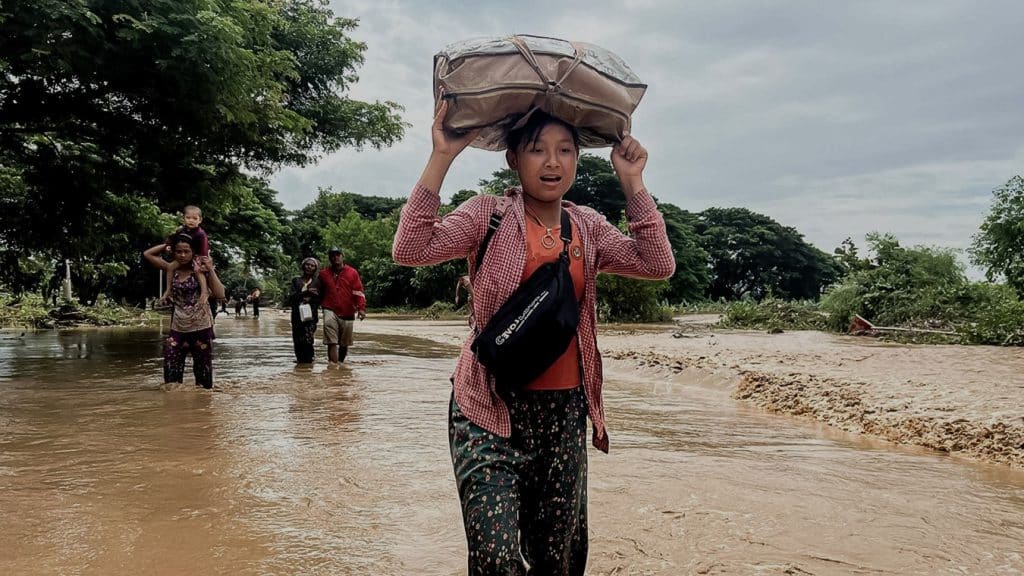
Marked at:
<point>192,322</point>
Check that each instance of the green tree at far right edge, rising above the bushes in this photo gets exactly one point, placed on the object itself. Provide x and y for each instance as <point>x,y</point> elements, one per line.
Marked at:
<point>999,248</point>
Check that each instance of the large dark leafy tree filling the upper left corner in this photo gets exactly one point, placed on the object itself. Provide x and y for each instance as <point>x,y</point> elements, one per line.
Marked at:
<point>113,113</point>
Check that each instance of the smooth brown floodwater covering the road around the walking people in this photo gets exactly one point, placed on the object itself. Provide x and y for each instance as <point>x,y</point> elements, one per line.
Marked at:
<point>291,470</point>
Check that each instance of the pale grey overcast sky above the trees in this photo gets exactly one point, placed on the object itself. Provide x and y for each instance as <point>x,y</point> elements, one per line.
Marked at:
<point>835,118</point>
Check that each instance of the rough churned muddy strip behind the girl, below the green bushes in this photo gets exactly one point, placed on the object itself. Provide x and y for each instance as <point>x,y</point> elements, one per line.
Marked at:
<point>968,401</point>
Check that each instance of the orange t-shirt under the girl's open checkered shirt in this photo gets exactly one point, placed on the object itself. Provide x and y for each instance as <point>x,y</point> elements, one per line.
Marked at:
<point>565,374</point>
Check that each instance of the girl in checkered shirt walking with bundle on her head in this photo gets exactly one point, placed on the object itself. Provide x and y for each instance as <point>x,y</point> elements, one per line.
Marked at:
<point>521,457</point>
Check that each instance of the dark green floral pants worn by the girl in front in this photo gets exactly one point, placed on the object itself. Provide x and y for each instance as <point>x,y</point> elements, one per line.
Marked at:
<point>525,498</point>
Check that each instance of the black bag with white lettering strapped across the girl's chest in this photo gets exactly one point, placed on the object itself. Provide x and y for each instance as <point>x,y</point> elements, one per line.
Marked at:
<point>536,324</point>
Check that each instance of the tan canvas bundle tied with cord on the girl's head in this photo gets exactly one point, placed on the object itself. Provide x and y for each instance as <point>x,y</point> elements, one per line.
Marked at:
<point>494,84</point>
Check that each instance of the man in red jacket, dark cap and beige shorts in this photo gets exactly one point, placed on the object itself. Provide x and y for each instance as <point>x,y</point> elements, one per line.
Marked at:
<point>344,303</point>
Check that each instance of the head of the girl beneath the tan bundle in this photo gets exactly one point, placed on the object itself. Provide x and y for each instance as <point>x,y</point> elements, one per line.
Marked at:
<point>544,153</point>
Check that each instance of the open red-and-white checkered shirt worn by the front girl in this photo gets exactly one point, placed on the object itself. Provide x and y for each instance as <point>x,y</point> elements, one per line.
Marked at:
<point>423,239</point>
